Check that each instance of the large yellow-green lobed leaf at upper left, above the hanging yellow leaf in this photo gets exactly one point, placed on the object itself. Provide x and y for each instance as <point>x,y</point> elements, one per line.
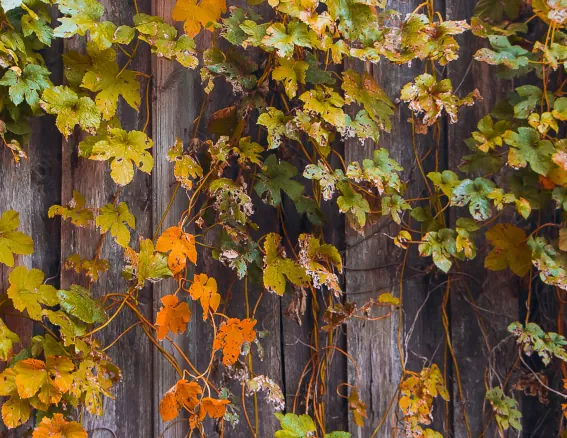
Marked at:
<point>109,81</point>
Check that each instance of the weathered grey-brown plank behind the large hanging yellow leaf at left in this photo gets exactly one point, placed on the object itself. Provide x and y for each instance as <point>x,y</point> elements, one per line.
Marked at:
<point>131,413</point>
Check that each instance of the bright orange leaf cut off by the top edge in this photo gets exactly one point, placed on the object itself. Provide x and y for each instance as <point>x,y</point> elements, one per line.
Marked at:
<point>196,14</point>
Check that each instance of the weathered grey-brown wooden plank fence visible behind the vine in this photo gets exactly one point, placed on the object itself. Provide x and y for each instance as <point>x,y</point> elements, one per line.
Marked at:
<point>475,314</point>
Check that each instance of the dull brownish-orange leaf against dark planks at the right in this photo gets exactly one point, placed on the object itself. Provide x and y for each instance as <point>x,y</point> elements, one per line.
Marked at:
<point>510,249</point>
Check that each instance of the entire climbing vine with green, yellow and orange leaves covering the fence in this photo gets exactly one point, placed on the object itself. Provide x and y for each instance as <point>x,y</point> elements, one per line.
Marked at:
<point>296,100</point>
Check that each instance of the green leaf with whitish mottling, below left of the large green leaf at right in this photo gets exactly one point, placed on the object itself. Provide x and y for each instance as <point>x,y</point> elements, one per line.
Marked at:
<point>475,194</point>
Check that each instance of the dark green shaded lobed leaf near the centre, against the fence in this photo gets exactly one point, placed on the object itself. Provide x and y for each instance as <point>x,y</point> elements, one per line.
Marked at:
<point>276,177</point>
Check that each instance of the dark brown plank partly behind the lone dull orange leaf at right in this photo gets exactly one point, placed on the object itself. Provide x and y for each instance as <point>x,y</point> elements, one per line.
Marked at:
<point>482,303</point>
